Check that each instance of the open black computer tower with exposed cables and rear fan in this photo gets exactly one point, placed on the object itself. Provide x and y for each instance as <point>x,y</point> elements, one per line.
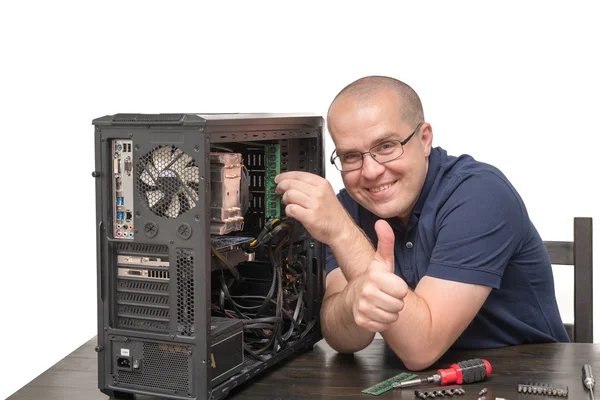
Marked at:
<point>203,281</point>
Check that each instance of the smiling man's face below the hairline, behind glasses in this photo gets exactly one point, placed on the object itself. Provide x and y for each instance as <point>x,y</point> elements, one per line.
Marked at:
<point>391,189</point>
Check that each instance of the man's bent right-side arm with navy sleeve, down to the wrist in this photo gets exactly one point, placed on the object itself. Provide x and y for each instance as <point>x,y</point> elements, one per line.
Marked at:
<point>478,231</point>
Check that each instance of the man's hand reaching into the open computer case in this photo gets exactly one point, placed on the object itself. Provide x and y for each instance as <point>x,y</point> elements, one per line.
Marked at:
<point>311,200</point>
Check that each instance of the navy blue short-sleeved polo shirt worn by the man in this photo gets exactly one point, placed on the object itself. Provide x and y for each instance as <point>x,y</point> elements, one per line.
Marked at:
<point>470,225</point>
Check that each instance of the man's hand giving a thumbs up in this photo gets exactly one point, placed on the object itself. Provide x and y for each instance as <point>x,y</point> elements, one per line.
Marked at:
<point>377,294</point>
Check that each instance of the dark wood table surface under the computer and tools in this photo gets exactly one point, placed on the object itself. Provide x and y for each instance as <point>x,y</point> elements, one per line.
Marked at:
<point>323,373</point>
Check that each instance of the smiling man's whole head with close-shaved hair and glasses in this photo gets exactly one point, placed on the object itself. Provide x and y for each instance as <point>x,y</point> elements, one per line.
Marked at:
<point>379,113</point>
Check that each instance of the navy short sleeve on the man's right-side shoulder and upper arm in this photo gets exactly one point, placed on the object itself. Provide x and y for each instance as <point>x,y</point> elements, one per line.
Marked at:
<point>478,229</point>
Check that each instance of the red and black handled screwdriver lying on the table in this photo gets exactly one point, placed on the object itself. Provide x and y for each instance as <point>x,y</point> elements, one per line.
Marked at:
<point>468,371</point>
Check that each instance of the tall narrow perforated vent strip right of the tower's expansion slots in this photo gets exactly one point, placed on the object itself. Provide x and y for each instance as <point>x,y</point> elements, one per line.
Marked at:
<point>185,292</point>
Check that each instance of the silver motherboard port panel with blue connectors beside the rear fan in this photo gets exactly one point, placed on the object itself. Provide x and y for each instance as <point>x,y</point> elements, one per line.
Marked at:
<point>122,183</point>
